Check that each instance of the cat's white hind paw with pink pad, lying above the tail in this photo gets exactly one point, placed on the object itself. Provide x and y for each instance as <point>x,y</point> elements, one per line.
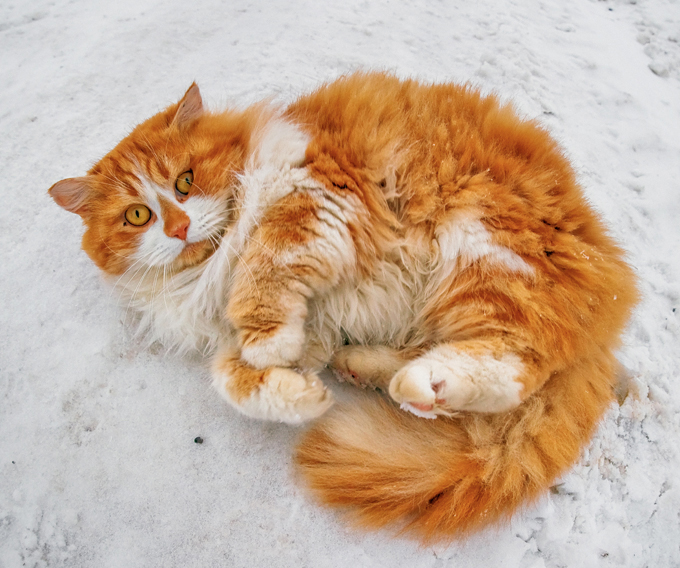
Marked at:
<point>446,380</point>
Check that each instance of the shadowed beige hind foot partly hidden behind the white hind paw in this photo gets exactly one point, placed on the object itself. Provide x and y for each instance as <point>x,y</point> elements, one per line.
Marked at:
<point>370,366</point>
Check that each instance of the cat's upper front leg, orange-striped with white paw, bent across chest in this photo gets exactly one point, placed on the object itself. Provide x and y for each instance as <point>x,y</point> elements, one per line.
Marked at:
<point>302,248</point>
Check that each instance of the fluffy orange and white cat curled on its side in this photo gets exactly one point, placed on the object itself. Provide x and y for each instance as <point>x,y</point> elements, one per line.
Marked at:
<point>421,239</point>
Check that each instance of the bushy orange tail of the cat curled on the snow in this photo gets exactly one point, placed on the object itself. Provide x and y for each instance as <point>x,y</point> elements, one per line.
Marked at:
<point>441,479</point>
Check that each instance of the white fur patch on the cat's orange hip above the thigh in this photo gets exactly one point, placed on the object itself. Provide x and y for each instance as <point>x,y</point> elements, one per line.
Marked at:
<point>465,238</point>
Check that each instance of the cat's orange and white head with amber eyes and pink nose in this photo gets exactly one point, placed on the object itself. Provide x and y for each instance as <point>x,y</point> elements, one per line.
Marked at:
<point>164,195</point>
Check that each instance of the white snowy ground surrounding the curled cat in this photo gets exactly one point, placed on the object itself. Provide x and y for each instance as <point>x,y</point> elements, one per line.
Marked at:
<point>98,465</point>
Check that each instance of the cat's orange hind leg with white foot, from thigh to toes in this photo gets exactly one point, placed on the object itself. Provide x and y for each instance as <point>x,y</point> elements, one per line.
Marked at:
<point>503,327</point>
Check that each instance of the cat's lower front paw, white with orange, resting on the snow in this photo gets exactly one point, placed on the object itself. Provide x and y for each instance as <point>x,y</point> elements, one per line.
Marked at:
<point>277,393</point>
